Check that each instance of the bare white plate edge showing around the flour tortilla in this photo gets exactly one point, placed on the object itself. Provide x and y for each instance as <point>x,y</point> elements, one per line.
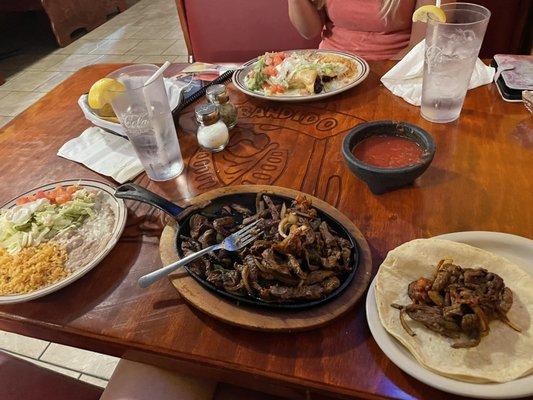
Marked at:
<point>517,249</point>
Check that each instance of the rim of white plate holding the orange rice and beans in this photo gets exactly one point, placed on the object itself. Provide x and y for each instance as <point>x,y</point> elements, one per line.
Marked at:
<point>118,208</point>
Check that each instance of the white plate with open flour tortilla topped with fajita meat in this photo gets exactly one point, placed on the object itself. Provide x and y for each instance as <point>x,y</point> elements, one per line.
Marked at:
<point>455,313</point>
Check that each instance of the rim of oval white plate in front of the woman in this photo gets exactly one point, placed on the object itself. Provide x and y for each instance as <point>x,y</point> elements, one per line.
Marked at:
<point>362,68</point>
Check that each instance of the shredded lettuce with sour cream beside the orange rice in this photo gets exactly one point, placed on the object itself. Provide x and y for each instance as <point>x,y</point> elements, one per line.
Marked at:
<point>33,223</point>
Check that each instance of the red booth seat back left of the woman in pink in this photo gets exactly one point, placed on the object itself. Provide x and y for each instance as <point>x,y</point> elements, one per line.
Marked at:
<point>237,30</point>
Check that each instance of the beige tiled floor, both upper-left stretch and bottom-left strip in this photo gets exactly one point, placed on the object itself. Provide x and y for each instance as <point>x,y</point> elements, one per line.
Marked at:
<point>148,32</point>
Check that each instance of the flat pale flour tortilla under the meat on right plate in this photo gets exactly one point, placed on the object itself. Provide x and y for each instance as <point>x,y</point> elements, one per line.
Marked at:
<point>503,355</point>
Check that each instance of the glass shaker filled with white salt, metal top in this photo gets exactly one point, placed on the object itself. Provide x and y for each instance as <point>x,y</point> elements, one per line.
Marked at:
<point>212,133</point>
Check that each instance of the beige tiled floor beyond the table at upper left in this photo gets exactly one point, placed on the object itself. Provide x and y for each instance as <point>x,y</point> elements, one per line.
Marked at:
<point>148,32</point>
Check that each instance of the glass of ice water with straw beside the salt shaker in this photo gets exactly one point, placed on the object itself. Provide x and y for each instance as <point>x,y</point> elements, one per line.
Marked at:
<point>144,113</point>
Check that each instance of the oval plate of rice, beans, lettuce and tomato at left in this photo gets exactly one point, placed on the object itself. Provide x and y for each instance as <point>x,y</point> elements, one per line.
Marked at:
<point>52,235</point>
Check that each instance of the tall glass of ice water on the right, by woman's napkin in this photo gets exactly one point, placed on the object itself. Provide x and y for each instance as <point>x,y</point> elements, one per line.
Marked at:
<point>451,53</point>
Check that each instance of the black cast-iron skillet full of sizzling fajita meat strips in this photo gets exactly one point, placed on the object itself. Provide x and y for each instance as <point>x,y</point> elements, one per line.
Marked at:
<point>303,257</point>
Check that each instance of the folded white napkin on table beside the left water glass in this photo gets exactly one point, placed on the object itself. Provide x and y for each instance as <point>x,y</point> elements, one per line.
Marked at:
<point>104,153</point>
